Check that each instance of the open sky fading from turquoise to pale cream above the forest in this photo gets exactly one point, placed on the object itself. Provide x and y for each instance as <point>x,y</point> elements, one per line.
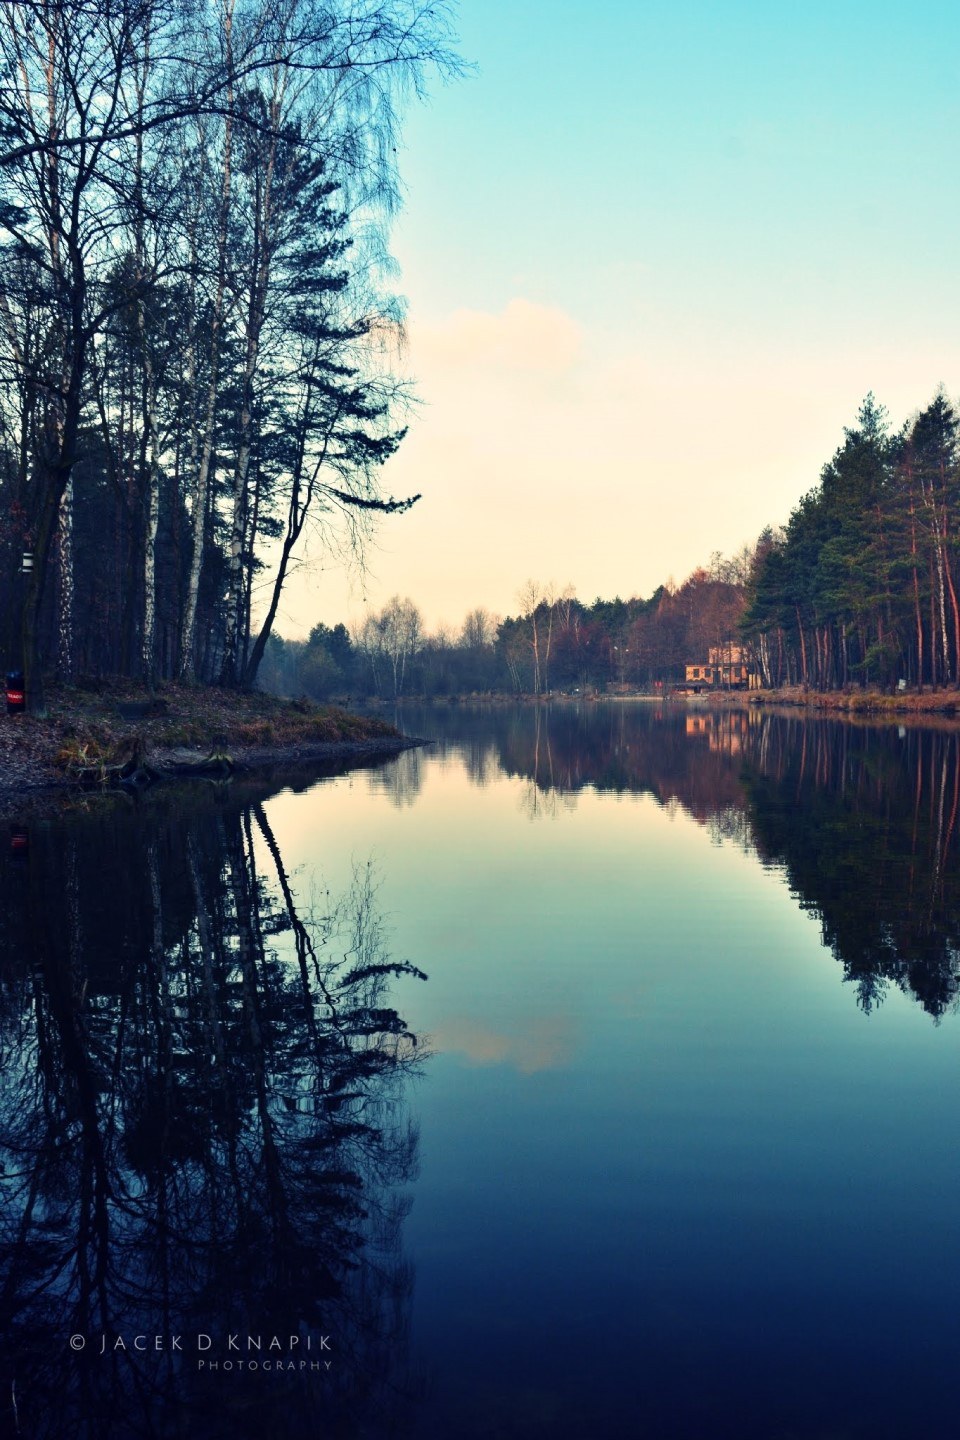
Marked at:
<point>656,256</point>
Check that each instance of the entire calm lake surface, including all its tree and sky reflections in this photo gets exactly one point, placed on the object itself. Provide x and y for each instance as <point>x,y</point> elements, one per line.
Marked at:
<point>666,1146</point>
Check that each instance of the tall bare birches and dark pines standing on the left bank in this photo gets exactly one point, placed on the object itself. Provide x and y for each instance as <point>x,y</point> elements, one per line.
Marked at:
<point>195,316</point>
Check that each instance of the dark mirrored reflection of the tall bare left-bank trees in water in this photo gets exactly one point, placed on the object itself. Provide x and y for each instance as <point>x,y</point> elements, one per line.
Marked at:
<point>202,1131</point>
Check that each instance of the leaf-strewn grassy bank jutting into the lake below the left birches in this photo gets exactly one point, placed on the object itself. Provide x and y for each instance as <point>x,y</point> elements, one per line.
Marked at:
<point>90,732</point>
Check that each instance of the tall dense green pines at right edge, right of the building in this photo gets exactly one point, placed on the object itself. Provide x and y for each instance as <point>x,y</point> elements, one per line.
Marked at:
<point>861,587</point>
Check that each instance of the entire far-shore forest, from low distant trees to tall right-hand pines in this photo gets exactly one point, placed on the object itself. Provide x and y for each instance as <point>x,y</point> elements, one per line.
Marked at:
<point>860,588</point>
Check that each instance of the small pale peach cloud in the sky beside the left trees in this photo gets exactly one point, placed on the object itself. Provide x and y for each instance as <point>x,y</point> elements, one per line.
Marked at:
<point>523,338</point>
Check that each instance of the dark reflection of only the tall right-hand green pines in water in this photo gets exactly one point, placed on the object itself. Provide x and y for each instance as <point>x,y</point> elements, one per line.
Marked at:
<point>866,824</point>
